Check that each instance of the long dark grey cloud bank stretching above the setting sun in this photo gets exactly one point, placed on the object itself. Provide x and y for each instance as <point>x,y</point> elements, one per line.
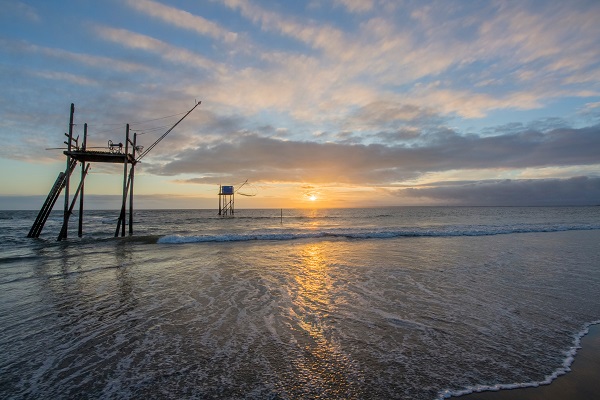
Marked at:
<point>268,159</point>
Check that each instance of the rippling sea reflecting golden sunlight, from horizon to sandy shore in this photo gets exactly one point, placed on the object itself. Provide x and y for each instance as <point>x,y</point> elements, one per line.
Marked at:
<point>375,303</point>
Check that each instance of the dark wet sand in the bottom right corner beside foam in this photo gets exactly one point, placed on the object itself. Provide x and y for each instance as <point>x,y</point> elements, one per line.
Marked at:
<point>582,382</point>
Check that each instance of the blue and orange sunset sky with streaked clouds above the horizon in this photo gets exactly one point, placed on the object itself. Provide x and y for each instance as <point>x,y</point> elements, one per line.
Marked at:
<point>338,103</point>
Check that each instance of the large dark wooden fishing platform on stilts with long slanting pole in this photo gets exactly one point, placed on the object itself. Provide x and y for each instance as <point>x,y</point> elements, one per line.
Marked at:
<point>80,154</point>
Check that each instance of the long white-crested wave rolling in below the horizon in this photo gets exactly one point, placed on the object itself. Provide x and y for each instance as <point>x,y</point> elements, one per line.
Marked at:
<point>368,234</point>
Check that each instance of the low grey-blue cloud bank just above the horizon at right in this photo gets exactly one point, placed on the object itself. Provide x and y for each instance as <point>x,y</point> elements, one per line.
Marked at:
<point>580,190</point>
